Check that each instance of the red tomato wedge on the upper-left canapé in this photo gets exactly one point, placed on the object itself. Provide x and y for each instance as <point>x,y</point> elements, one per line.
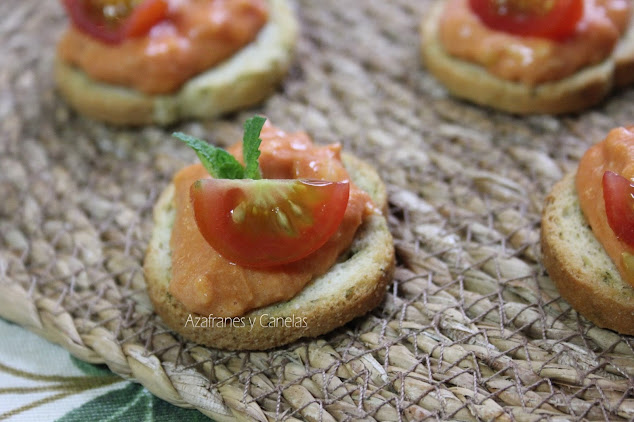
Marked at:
<point>112,21</point>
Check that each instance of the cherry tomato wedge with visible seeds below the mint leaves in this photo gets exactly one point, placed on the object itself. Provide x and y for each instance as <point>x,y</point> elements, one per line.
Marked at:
<point>268,222</point>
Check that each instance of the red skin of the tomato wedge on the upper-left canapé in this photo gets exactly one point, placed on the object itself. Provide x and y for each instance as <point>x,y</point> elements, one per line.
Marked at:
<point>138,23</point>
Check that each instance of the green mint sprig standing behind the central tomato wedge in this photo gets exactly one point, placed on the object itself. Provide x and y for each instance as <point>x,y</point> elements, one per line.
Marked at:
<point>222,165</point>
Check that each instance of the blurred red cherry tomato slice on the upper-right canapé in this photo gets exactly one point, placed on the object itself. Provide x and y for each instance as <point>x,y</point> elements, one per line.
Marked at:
<point>555,19</point>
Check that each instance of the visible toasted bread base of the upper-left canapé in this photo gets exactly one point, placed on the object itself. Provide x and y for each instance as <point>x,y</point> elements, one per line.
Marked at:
<point>243,80</point>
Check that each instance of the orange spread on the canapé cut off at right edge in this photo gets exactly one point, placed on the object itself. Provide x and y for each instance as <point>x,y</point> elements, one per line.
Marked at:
<point>615,153</point>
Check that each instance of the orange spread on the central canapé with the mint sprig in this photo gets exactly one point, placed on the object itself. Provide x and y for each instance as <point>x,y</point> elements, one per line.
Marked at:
<point>206,283</point>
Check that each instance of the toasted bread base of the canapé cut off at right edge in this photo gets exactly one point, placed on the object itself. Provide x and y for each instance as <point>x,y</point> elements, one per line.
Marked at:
<point>576,262</point>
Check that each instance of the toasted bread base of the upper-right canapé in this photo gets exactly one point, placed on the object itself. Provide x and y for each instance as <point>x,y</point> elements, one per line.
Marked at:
<point>470,81</point>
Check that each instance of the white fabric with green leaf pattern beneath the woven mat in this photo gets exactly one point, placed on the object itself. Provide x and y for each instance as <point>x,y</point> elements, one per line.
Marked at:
<point>40,381</point>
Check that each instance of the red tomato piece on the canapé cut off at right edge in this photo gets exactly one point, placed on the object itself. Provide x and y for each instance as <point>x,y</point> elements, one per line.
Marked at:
<point>618,194</point>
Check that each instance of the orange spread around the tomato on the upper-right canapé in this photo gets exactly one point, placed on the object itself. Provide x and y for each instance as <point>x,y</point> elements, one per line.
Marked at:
<point>532,60</point>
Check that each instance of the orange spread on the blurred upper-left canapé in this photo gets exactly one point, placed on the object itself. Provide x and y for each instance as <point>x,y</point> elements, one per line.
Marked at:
<point>195,36</point>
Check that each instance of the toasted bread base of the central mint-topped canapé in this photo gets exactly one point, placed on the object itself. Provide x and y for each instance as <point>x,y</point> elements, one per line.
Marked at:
<point>351,288</point>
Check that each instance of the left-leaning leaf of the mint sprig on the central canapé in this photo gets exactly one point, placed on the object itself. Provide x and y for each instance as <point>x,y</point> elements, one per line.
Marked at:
<point>218,162</point>
